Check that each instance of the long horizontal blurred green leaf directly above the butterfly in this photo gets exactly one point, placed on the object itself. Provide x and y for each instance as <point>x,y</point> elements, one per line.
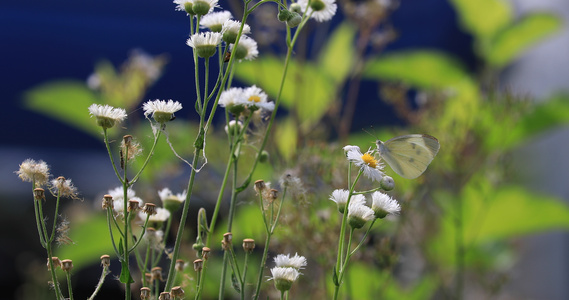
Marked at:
<point>422,69</point>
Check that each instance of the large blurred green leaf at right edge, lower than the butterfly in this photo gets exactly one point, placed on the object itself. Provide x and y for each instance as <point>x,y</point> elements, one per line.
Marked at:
<point>492,214</point>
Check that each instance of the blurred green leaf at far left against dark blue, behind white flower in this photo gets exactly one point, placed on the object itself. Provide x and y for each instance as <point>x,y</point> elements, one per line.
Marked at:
<point>66,101</point>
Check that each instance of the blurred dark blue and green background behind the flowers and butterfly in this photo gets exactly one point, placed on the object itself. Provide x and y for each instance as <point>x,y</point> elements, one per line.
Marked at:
<point>487,78</point>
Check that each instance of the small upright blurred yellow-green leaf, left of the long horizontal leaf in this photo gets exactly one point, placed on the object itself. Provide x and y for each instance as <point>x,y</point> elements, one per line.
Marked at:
<point>337,57</point>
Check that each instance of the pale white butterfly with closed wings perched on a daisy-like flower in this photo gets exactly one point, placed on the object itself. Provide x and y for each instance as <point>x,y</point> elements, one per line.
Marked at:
<point>409,155</point>
